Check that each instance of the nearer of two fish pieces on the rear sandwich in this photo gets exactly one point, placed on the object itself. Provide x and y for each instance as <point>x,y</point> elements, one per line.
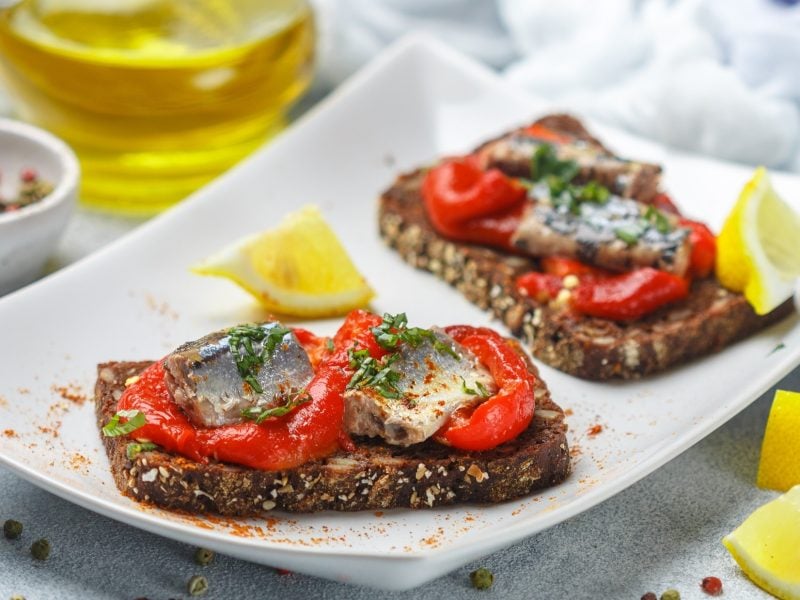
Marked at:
<point>591,236</point>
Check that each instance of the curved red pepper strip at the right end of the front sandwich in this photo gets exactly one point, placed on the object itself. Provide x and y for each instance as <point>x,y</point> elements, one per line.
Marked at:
<point>506,414</point>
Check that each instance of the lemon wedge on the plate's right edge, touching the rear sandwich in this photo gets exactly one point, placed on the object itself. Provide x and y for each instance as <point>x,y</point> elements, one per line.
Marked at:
<point>757,250</point>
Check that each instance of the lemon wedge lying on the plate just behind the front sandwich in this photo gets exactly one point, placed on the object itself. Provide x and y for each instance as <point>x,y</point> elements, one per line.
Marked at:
<point>300,268</point>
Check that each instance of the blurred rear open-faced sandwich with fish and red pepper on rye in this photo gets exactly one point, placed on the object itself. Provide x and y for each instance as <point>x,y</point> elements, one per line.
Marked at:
<point>576,250</point>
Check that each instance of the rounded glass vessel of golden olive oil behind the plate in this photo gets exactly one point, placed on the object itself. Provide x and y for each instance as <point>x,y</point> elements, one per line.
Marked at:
<point>156,96</point>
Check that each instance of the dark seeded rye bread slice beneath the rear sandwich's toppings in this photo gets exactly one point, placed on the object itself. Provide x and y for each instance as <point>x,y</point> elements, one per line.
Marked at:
<point>707,321</point>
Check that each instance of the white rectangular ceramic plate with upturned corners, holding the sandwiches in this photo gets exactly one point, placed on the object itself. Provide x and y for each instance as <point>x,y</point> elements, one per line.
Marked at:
<point>137,300</point>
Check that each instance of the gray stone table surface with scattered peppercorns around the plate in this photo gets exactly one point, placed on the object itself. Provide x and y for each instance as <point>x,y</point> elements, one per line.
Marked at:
<point>662,532</point>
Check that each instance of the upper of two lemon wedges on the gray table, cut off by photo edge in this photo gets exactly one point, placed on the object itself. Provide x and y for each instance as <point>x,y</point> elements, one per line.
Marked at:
<point>779,467</point>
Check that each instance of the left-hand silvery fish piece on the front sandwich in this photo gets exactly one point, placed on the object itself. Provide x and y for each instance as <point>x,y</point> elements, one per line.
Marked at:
<point>203,379</point>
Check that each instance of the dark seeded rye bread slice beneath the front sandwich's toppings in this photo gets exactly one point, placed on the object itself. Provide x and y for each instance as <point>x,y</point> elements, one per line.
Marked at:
<point>374,477</point>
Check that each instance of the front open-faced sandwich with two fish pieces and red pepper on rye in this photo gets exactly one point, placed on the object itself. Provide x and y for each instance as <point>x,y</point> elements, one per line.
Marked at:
<point>381,415</point>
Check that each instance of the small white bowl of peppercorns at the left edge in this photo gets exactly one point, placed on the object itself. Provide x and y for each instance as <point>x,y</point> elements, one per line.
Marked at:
<point>29,235</point>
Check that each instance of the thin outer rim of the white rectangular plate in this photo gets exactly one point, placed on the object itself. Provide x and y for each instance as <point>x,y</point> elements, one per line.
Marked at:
<point>410,45</point>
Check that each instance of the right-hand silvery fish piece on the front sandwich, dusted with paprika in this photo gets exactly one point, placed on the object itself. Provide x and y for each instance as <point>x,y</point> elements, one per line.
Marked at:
<point>432,384</point>
